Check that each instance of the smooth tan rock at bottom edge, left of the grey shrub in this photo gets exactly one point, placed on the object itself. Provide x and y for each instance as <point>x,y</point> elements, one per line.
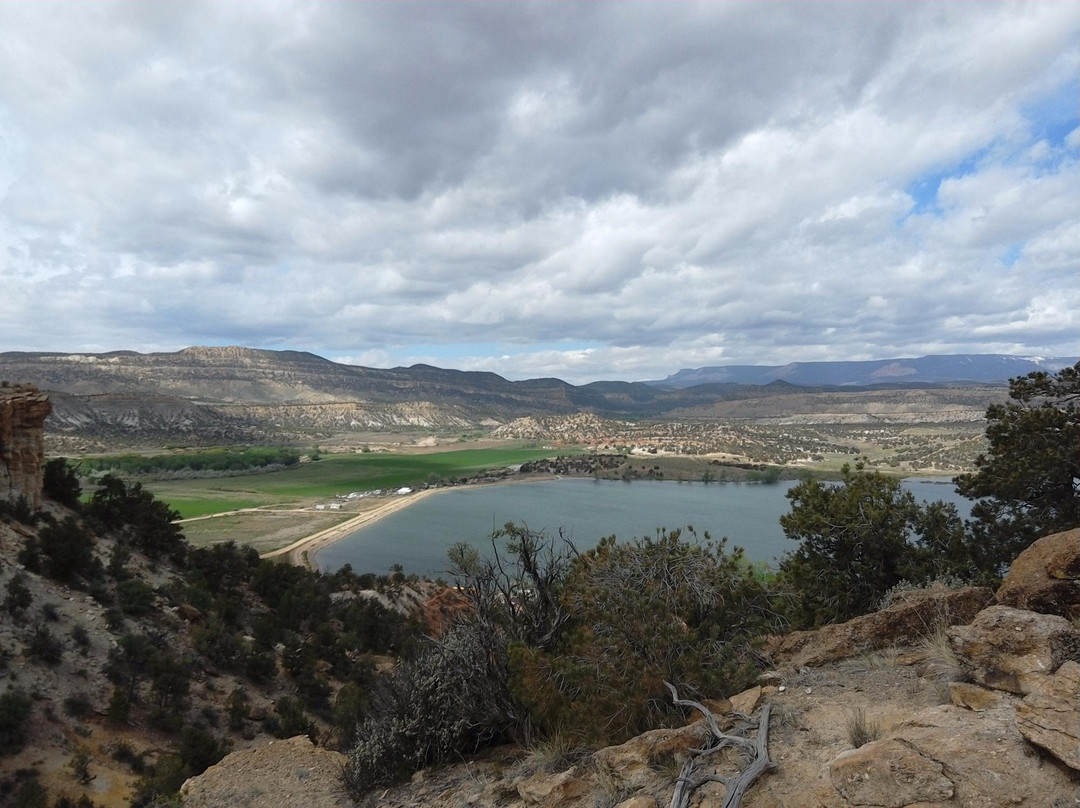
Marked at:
<point>292,774</point>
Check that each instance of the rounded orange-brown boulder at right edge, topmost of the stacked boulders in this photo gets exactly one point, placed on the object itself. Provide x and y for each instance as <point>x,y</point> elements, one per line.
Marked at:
<point>1046,577</point>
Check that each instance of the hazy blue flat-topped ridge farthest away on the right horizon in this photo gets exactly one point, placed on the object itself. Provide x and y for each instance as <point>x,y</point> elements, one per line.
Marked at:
<point>935,370</point>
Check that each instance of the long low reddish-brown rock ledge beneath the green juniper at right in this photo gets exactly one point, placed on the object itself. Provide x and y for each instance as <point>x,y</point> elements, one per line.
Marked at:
<point>915,615</point>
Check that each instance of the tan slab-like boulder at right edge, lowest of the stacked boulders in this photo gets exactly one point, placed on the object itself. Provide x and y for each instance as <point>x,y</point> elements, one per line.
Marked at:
<point>1050,716</point>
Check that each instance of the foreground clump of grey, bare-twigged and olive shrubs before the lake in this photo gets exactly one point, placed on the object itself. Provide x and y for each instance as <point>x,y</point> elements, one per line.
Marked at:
<point>556,639</point>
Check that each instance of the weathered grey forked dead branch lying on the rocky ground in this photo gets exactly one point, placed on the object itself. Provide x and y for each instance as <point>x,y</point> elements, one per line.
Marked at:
<point>758,750</point>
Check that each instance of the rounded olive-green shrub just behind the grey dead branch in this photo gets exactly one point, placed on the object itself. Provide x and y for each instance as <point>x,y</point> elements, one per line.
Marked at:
<point>649,612</point>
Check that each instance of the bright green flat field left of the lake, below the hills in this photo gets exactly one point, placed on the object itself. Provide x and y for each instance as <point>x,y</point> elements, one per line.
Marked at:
<point>332,476</point>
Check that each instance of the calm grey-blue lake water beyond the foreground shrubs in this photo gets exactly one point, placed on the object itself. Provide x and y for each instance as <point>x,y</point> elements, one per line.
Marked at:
<point>587,511</point>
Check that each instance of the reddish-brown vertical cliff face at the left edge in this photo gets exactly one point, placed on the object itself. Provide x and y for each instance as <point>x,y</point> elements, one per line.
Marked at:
<point>23,413</point>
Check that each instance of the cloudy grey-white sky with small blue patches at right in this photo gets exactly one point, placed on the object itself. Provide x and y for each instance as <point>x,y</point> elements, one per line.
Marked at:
<point>584,190</point>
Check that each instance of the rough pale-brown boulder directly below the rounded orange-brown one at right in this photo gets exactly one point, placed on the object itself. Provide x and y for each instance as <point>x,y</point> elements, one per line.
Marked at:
<point>1007,649</point>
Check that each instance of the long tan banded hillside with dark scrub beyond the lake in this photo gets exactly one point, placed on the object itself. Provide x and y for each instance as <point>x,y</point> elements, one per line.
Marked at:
<point>242,395</point>
